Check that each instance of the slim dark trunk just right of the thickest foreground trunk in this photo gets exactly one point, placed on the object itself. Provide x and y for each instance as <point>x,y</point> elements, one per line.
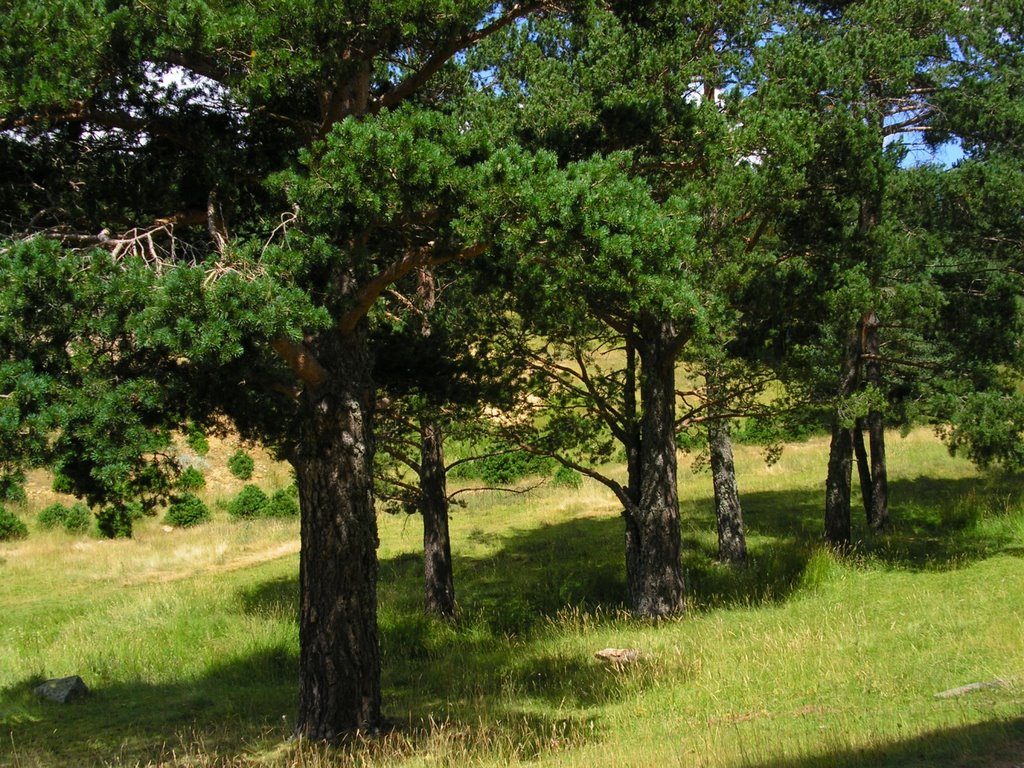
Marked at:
<point>439,580</point>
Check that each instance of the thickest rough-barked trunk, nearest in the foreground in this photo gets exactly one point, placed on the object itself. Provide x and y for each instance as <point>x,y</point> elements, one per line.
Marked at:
<point>339,654</point>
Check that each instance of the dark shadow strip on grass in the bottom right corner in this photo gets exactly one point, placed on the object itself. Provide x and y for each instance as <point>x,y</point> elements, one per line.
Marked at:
<point>992,745</point>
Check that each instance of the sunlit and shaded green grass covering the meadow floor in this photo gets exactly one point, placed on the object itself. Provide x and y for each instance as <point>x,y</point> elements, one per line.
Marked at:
<point>189,641</point>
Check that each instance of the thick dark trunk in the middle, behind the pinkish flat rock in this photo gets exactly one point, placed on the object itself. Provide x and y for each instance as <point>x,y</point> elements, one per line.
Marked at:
<point>656,540</point>
